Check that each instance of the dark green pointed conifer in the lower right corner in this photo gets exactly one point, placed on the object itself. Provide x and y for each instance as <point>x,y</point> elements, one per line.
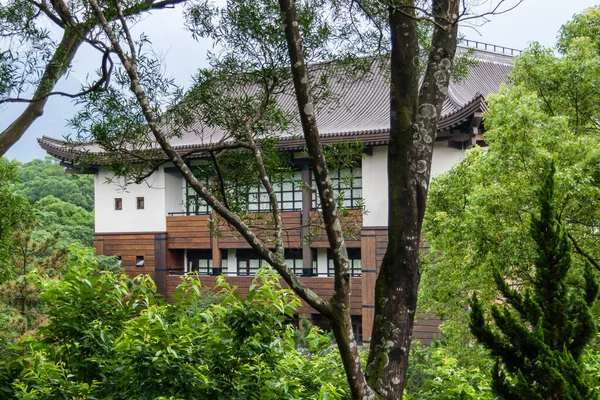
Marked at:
<point>540,333</point>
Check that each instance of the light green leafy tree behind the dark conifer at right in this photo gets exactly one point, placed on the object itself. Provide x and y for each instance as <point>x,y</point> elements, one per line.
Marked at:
<point>478,213</point>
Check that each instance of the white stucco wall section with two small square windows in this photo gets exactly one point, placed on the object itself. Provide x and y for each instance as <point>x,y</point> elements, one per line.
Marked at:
<point>130,219</point>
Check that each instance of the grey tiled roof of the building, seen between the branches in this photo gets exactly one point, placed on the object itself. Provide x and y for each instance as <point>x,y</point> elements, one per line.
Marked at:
<point>360,108</point>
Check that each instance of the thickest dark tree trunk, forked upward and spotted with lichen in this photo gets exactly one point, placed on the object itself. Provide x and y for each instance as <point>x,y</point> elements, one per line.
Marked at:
<point>413,127</point>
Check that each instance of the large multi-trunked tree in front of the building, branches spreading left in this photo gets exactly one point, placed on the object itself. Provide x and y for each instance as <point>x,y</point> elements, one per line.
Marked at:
<point>265,45</point>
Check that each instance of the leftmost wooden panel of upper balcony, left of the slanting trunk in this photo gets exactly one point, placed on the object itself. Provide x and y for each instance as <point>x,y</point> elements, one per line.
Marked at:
<point>189,232</point>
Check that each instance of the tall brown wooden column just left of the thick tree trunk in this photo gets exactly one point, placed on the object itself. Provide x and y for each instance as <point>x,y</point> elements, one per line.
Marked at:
<point>368,248</point>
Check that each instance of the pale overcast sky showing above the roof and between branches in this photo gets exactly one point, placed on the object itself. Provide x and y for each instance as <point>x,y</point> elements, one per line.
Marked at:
<point>533,20</point>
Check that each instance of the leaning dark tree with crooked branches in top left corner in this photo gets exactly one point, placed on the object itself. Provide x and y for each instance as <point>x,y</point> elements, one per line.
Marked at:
<point>32,61</point>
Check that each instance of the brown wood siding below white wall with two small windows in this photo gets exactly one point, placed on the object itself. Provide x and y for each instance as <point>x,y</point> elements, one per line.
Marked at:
<point>129,246</point>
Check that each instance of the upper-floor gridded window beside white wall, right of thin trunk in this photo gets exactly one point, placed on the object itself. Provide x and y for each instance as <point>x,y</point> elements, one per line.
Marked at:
<point>347,185</point>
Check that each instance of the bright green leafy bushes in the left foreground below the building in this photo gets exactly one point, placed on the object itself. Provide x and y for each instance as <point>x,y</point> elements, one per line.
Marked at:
<point>109,337</point>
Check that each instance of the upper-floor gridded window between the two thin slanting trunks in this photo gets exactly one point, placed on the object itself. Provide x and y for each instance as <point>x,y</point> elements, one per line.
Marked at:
<point>289,195</point>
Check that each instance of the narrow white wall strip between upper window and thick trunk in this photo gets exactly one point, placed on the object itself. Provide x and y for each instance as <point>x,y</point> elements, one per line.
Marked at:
<point>374,178</point>
